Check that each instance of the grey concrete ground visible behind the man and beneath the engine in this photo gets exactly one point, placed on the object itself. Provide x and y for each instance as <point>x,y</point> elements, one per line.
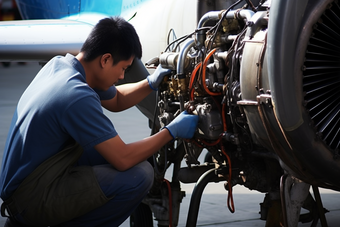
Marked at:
<point>213,209</point>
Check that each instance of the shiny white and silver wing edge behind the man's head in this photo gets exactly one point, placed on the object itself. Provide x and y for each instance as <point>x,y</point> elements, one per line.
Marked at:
<point>40,40</point>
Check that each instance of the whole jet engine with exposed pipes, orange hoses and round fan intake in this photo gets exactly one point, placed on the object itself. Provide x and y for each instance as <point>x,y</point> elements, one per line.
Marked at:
<point>263,77</point>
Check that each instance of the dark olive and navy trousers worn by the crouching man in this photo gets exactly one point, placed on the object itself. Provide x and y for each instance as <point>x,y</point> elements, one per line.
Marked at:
<point>119,193</point>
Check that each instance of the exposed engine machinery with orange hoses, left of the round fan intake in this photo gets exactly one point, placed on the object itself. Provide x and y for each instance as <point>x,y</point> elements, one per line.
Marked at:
<point>215,74</point>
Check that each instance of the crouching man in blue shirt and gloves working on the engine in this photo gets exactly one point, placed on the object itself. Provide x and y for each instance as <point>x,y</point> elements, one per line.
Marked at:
<point>64,164</point>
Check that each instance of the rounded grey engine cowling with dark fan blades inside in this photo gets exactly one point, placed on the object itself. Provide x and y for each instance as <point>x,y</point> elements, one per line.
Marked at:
<point>303,72</point>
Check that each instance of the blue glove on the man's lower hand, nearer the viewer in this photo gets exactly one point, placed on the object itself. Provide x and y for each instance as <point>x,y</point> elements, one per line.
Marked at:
<point>183,126</point>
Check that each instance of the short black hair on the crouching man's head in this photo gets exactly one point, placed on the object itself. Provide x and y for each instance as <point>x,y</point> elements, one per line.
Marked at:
<point>112,35</point>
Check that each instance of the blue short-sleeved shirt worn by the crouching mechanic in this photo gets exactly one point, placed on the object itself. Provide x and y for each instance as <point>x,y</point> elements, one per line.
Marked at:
<point>57,106</point>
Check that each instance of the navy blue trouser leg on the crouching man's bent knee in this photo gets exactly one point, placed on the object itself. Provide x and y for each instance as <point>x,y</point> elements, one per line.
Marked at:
<point>128,187</point>
